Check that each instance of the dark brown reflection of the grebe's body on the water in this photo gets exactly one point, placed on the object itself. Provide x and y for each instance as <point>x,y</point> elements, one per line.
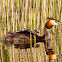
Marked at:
<point>21,46</point>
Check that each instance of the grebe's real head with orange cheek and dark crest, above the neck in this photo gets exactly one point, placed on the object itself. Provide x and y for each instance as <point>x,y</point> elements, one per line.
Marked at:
<point>51,22</point>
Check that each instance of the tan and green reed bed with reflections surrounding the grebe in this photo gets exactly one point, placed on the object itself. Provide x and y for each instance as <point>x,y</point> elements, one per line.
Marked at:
<point>30,14</point>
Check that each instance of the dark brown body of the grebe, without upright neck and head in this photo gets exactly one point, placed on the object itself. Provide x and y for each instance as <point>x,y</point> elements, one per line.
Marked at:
<point>22,38</point>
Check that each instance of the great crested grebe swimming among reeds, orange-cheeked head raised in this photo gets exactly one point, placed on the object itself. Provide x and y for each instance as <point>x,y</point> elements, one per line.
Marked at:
<point>22,38</point>
